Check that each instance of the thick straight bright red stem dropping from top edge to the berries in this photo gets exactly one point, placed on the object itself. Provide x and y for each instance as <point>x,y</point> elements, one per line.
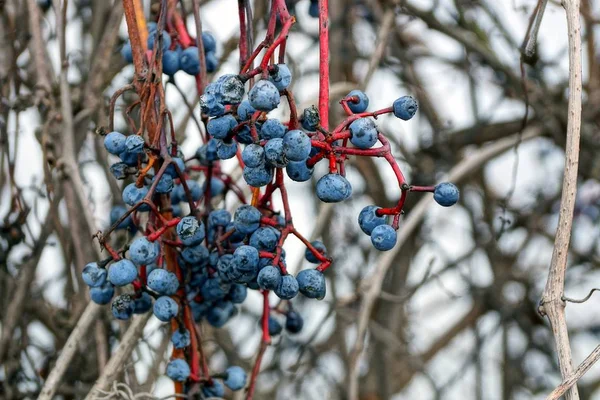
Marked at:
<point>324,63</point>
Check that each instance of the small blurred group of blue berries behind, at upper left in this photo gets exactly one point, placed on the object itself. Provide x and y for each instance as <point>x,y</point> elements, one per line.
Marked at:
<point>174,57</point>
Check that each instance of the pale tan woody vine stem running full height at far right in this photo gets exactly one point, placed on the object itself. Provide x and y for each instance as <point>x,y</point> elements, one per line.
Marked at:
<point>552,303</point>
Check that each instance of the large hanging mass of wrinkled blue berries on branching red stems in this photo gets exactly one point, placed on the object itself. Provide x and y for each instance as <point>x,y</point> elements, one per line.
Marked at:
<point>189,260</point>
